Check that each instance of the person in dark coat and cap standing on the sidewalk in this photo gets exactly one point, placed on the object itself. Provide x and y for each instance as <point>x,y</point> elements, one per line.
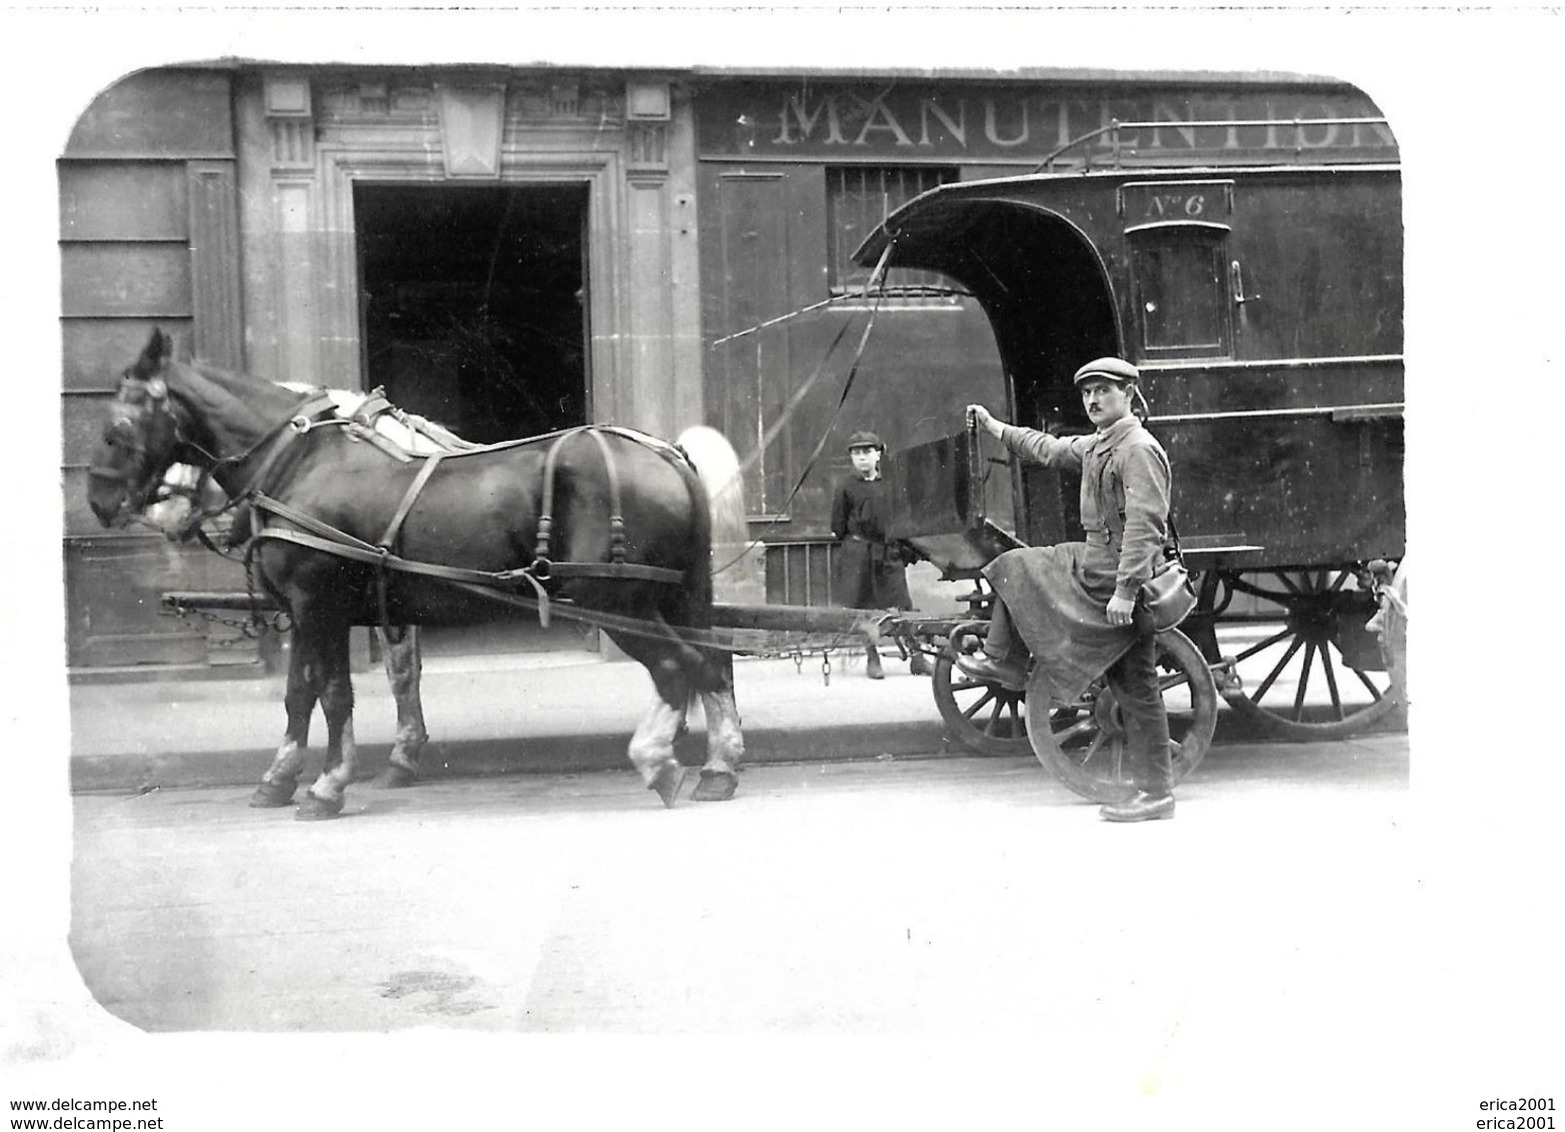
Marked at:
<point>871,569</point>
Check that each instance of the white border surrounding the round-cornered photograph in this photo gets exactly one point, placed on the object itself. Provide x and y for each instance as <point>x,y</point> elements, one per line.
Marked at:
<point>1470,96</point>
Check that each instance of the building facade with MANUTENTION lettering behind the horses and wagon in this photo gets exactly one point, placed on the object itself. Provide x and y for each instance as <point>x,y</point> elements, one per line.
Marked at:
<point>514,251</point>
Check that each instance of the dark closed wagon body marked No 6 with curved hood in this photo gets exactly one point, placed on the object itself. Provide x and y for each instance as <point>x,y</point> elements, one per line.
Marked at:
<point>1264,308</point>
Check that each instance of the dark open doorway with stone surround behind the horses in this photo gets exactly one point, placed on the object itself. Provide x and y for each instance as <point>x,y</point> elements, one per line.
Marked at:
<point>473,312</point>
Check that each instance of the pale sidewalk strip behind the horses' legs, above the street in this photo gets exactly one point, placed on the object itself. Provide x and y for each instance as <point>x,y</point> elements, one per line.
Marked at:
<point>494,715</point>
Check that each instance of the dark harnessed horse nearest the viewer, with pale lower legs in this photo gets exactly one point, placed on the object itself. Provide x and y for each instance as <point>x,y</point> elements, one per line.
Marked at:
<point>347,535</point>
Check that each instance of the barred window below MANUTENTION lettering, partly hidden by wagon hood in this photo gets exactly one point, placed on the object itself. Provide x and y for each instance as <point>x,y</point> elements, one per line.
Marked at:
<point>858,200</point>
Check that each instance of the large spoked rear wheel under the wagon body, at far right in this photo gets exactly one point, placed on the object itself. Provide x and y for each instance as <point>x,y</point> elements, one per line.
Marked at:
<point>1308,668</point>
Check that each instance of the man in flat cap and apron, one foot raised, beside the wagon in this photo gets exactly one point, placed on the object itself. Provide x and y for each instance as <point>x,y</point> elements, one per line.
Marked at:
<point>1074,605</point>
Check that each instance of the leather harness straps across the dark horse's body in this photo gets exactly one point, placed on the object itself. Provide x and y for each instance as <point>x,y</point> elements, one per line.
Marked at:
<point>322,536</point>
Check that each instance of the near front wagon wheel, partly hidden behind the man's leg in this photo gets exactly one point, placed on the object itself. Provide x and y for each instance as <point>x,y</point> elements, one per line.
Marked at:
<point>1085,743</point>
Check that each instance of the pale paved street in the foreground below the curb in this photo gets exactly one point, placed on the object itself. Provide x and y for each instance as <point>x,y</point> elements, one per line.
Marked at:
<point>880,896</point>
